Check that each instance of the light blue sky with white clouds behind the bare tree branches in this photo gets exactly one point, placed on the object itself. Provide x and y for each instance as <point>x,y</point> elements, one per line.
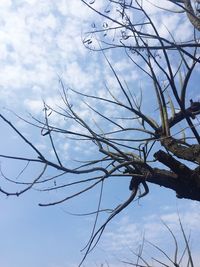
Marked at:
<point>40,42</point>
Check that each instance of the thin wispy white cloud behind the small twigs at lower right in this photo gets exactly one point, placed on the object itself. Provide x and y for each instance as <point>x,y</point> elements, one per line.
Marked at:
<point>126,234</point>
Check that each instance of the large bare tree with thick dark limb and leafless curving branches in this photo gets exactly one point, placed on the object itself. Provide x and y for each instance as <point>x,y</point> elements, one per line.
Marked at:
<point>164,151</point>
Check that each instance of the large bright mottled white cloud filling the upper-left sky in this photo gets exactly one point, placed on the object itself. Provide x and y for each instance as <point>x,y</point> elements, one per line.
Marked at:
<point>36,44</point>
